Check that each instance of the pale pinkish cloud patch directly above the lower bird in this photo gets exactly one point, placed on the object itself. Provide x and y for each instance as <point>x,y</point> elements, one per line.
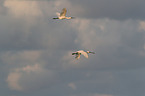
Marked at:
<point>87,33</point>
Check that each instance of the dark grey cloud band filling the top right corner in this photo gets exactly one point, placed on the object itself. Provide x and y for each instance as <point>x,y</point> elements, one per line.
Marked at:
<point>113,9</point>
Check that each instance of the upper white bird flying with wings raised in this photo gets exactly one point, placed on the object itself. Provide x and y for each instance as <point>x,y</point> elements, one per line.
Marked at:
<point>62,15</point>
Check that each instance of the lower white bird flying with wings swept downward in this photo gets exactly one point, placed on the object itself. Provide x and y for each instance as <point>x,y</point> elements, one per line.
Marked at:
<point>78,53</point>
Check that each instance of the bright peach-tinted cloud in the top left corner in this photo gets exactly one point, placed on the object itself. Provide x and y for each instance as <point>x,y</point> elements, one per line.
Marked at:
<point>23,8</point>
